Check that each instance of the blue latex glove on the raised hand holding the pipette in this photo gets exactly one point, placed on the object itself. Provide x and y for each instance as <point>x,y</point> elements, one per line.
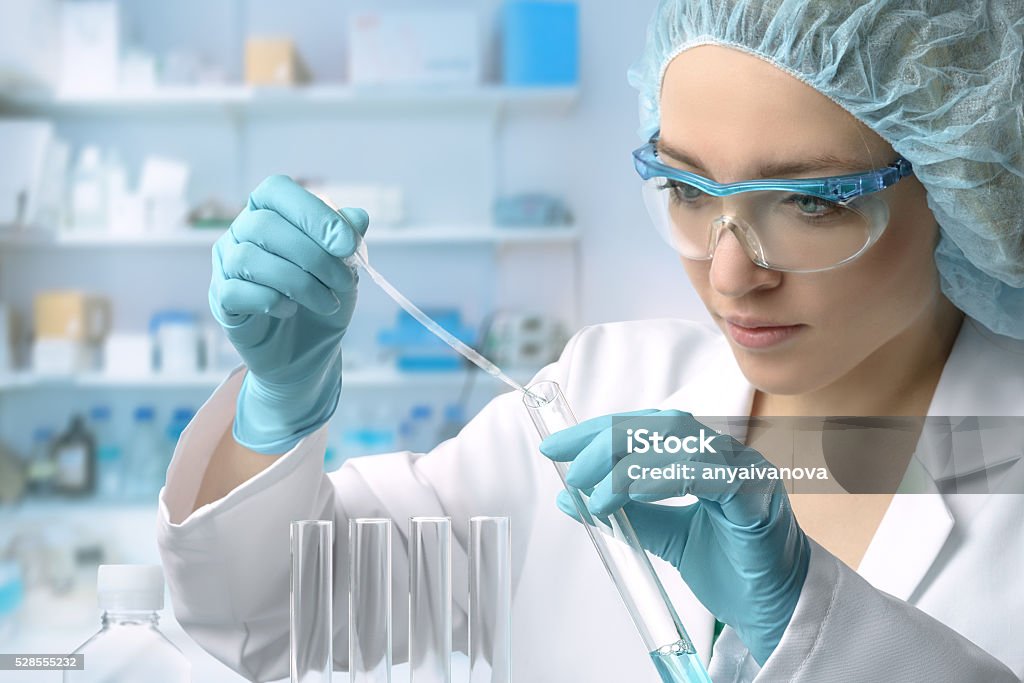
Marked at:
<point>285,300</point>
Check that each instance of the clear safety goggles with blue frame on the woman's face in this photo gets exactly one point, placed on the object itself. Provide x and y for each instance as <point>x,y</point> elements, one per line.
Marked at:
<point>798,226</point>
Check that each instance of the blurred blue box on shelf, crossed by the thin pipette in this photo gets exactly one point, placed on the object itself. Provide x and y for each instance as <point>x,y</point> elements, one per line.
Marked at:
<point>417,350</point>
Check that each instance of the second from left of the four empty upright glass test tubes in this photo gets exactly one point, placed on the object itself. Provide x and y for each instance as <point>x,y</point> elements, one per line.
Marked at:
<point>370,602</point>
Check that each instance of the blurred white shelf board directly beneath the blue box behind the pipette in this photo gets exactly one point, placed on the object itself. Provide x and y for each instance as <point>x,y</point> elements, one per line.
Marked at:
<point>365,378</point>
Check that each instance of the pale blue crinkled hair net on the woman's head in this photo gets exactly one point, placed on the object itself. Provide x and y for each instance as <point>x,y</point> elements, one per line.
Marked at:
<point>940,80</point>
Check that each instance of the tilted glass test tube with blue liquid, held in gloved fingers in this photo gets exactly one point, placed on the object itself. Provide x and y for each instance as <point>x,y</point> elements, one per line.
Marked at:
<point>624,558</point>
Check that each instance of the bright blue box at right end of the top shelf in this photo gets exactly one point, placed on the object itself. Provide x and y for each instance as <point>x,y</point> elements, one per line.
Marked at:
<point>541,44</point>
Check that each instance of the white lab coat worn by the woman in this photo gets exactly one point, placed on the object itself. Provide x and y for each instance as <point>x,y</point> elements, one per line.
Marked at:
<point>940,595</point>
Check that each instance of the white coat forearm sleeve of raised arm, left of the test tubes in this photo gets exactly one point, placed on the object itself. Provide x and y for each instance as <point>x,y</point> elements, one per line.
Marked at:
<point>227,565</point>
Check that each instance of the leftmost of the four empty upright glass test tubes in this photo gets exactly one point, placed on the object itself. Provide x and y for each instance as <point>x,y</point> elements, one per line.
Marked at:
<point>312,604</point>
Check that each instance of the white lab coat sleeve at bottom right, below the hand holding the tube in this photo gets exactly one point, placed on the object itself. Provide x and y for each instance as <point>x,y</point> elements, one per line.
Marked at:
<point>844,630</point>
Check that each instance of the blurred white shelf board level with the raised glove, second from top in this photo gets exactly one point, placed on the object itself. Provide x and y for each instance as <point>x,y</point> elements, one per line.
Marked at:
<point>204,238</point>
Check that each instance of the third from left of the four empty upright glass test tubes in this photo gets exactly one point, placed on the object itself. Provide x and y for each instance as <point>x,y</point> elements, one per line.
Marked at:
<point>431,601</point>
